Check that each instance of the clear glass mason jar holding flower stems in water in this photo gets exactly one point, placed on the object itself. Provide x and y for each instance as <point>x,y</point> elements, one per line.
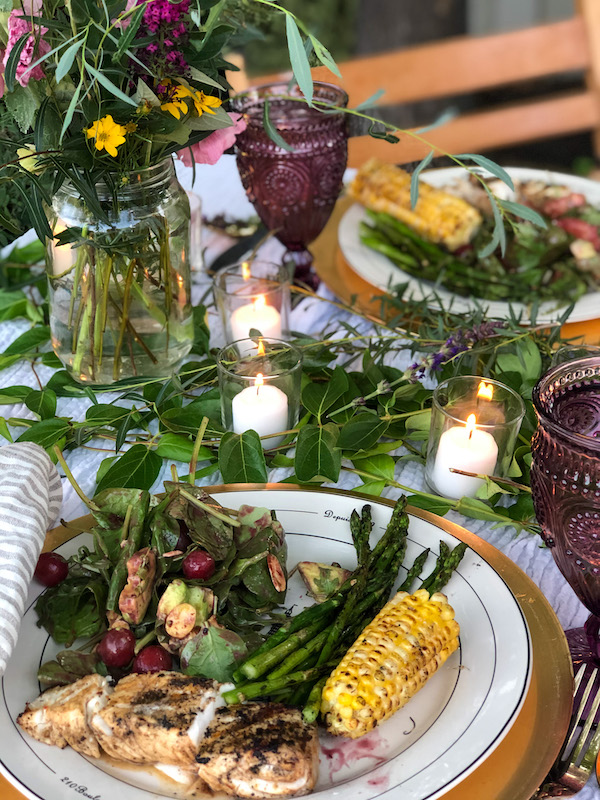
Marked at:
<point>120,301</point>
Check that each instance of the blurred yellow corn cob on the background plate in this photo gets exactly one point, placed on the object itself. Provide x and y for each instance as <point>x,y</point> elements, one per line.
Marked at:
<point>438,216</point>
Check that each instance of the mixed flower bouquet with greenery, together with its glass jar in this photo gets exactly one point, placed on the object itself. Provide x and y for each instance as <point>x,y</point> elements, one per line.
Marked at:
<point>105,93</point>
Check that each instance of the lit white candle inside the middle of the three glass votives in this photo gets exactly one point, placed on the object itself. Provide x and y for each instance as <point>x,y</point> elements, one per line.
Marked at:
<point>262,408</point>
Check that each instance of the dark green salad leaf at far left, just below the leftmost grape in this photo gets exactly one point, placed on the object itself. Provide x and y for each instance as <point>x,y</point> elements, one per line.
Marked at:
<point>74,609</point>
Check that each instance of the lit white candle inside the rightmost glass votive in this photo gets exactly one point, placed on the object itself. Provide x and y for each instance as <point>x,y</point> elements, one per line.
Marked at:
<point>466,448</point>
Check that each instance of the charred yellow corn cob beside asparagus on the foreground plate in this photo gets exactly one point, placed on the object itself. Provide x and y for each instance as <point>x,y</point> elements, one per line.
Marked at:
<point>389,662</point>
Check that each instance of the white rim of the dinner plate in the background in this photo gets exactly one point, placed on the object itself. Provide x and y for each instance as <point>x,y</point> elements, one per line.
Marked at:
<point>380,272</point>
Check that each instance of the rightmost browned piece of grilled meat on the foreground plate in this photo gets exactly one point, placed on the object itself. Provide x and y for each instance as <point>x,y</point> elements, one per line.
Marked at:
<point>259,750</point>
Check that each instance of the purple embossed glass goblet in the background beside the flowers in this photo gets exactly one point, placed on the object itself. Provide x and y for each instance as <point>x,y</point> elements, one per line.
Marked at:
<point>293,191</point>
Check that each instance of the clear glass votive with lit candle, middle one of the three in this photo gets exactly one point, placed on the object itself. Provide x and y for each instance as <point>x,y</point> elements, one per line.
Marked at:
<point>259,383</point>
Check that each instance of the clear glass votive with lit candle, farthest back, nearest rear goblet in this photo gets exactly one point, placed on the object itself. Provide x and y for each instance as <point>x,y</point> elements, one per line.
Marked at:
<point>254,295</point>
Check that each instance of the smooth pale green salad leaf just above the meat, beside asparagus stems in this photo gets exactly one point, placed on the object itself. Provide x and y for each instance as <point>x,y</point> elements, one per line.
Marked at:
<point>213,653</point>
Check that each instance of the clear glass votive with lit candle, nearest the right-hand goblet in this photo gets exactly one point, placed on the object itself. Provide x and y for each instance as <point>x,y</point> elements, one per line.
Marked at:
<point>474,425</point>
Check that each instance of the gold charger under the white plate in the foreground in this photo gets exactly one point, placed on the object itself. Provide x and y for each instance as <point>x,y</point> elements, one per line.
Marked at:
<point>516,767</point>
